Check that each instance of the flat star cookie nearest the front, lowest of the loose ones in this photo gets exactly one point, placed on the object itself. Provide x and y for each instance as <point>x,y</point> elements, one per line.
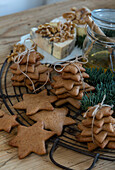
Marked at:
<point>31,139</point>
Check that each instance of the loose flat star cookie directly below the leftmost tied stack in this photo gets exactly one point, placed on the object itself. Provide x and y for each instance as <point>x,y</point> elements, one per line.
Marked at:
<point>35,102</point>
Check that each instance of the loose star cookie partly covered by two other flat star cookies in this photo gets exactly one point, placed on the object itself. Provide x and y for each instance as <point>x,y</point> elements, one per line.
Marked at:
<point>54,120</point>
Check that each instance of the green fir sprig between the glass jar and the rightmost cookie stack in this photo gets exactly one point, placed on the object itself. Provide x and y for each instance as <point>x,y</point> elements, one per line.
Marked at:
<point>104,83</point>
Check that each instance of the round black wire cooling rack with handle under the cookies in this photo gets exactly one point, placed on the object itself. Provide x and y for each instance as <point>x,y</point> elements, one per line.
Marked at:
<point>11,95</point>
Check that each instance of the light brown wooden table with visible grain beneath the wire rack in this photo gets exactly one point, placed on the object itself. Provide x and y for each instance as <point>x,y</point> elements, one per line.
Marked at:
<point>12,27</point>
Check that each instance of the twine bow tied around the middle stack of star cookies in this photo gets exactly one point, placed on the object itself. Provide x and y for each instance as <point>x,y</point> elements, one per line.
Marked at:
<point>66,63</point>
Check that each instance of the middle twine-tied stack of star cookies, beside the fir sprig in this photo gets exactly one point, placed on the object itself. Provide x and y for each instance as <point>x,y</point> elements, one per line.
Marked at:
<point>69,86</point>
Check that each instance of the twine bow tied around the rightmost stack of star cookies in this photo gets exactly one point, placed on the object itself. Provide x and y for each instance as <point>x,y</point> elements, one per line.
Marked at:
<point>97,107</point>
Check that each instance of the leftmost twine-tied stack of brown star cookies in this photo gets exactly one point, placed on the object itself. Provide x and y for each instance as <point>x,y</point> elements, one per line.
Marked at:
<point>33,69</point>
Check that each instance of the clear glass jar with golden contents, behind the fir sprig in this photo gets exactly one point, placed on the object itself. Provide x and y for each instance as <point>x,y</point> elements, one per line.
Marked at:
<point>100,48</point>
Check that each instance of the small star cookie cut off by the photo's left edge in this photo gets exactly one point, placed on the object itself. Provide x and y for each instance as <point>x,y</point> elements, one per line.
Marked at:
<point>7,121</point>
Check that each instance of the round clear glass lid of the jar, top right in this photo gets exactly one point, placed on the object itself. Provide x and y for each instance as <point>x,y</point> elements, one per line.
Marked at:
<point>104,17</point>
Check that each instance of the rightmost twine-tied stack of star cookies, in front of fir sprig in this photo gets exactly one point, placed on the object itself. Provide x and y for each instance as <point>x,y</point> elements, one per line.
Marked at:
<point>101,131</point>
